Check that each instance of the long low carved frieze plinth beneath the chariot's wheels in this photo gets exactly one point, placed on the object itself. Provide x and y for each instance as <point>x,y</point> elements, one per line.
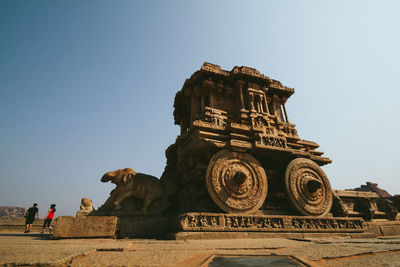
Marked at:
<point>220,222</point>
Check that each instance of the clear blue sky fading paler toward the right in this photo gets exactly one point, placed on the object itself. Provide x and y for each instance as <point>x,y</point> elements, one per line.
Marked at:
<point>88,86</point>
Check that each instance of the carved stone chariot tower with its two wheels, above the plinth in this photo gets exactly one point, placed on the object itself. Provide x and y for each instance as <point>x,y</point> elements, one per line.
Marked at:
<point>241,113</point>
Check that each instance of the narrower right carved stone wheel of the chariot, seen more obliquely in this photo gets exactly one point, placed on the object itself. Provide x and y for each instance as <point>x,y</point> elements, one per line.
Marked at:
<point>308,187</point>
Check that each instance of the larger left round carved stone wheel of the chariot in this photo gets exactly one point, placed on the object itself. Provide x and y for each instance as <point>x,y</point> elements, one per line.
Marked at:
<point>236,182</point>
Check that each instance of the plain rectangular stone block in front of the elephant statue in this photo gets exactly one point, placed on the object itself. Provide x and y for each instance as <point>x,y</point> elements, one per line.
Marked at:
<point>85,226</point>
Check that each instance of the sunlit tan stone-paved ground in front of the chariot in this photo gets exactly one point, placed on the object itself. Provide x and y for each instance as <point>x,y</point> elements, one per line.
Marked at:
<point>34,249</point>
